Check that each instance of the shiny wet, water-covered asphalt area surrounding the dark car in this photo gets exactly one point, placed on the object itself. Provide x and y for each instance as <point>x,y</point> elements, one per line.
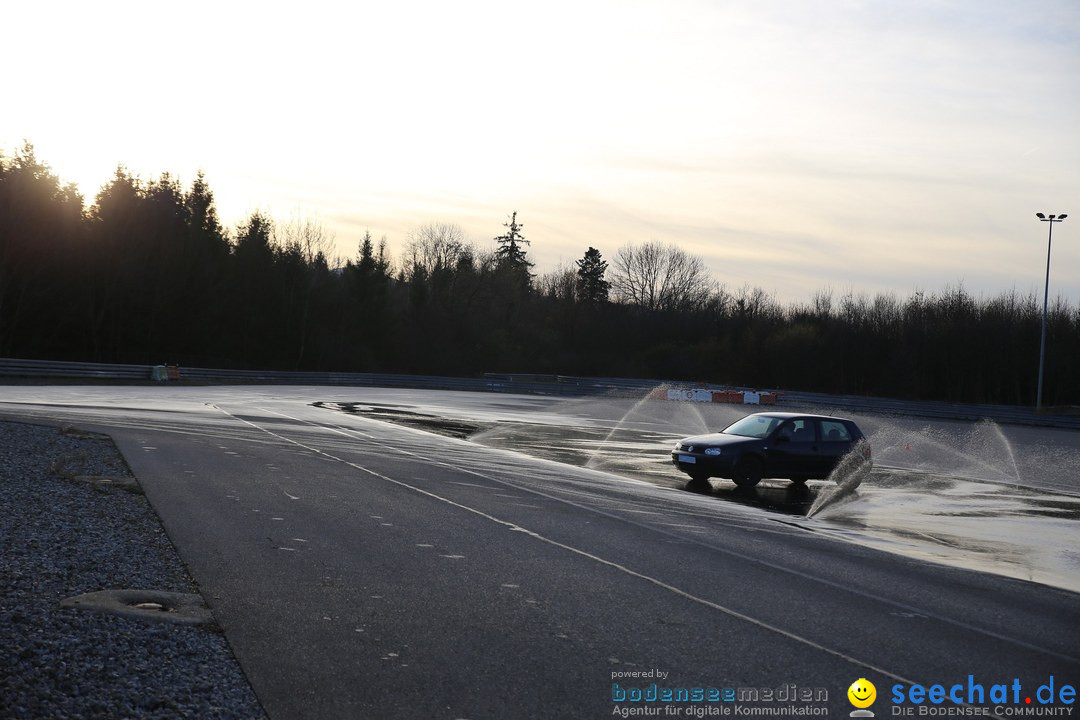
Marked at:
<point>949,495</point>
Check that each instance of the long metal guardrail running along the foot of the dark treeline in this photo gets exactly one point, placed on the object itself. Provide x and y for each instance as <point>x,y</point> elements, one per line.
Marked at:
<point>536,385</point>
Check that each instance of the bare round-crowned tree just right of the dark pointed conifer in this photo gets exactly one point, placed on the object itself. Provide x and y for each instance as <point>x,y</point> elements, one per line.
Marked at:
<point>658,277</point>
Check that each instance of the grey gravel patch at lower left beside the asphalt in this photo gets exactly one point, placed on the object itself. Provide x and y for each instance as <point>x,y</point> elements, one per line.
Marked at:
<point>60,538</point>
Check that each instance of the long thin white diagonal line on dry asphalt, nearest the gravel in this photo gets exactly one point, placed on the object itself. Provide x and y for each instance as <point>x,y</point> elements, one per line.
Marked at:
<point>611,564</point>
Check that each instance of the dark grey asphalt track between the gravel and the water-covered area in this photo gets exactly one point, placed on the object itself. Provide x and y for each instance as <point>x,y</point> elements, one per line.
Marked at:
<point>364,569</point>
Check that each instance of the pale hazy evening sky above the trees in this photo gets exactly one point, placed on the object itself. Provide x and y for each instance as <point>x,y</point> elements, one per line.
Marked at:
<point>796,146</point>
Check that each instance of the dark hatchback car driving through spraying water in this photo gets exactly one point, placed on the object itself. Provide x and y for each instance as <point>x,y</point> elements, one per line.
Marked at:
<point>787,445</point>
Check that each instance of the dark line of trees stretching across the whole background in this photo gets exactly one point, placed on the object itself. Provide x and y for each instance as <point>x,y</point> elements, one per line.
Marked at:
<point>148,275</point>
